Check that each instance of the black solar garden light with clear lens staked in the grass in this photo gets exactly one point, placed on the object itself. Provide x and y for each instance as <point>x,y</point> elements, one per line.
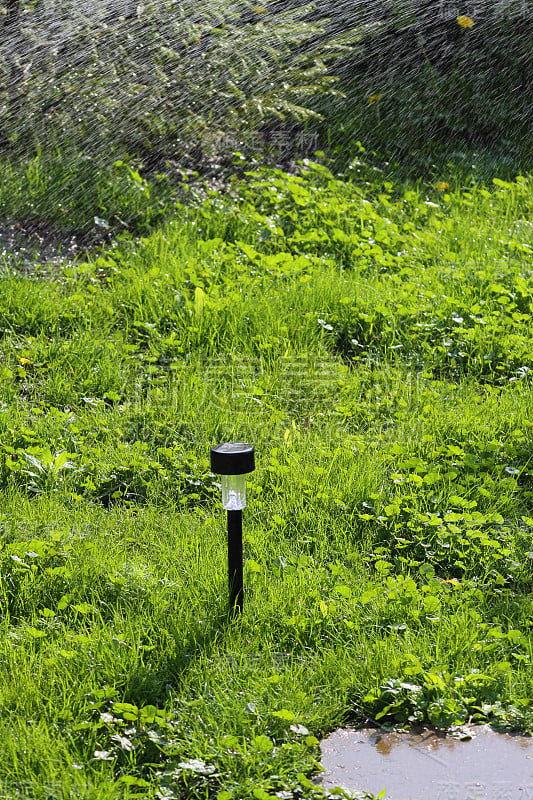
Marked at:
<point>232,460</point>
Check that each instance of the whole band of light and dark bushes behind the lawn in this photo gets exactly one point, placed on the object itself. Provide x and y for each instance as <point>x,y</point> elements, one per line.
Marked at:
<point>184,80</point>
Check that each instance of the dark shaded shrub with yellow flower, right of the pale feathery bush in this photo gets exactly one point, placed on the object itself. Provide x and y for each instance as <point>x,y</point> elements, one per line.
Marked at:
<point>427,75</point>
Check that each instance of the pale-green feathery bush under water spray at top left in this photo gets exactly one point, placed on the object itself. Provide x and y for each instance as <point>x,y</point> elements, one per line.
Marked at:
<point>176,76</point>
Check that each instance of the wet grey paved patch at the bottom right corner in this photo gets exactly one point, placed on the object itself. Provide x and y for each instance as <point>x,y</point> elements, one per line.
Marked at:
<point>430,766</point>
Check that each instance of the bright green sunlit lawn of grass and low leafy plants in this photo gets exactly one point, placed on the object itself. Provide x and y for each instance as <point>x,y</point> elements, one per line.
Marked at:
<point>374,341</point>
